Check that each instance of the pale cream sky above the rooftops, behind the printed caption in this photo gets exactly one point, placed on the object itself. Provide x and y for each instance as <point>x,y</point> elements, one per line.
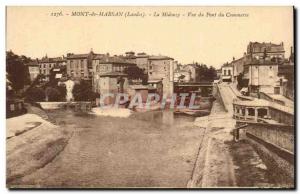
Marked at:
<point>34,32</point>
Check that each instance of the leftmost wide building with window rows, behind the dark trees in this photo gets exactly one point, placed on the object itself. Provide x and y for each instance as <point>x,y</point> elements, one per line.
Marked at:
<point>46,64</point>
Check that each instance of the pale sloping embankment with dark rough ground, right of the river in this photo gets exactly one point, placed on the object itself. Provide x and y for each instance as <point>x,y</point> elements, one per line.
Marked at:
<point>222,162</point>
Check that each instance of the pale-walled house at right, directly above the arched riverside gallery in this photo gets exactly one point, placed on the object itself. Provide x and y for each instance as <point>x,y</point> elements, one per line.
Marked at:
<point>262,76</point>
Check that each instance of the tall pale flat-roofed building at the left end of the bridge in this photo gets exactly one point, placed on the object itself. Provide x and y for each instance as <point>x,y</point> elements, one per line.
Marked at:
<point>161,68</point>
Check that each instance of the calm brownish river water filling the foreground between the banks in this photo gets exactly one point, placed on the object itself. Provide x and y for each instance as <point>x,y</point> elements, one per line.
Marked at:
<point>152,149</point>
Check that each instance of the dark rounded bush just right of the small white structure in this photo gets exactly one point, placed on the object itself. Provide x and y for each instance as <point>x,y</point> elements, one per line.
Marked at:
<point>83,92</point>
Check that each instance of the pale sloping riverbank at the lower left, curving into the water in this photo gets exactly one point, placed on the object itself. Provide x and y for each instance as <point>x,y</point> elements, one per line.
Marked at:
<point>32,143</point>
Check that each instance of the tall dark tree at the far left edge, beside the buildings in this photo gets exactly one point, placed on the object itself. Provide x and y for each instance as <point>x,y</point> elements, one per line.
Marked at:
<point>17,72</point>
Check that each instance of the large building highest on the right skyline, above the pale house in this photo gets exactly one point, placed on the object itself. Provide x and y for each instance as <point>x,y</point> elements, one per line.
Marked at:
<point>270,50</point>
